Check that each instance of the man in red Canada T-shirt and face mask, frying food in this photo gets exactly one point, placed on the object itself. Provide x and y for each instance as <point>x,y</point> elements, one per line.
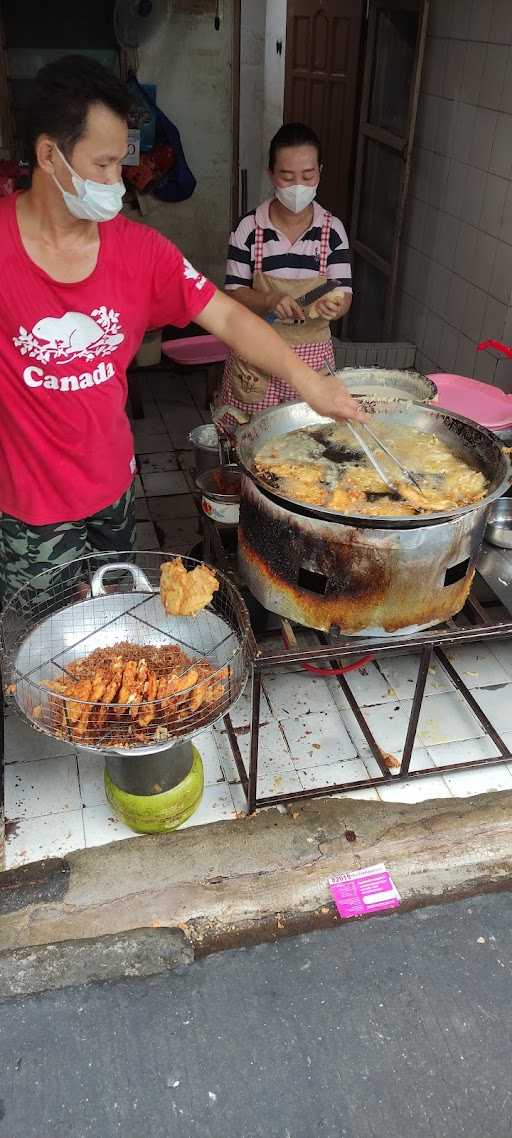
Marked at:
<point>81,285</point>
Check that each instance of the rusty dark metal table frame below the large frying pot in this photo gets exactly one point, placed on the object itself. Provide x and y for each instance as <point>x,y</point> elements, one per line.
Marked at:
<point>431,644</point>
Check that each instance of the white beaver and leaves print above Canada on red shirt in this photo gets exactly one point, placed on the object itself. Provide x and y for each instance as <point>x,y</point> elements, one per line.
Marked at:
<point>75,336</point>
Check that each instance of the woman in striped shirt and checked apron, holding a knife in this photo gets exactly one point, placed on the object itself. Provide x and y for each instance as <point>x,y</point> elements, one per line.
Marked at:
<point>278,253</point>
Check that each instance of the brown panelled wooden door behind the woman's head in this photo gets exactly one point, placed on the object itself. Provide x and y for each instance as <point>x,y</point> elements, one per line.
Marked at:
<point>323,67</point>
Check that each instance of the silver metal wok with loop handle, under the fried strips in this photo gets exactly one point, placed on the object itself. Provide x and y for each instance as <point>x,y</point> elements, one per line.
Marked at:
<point>97,603</point>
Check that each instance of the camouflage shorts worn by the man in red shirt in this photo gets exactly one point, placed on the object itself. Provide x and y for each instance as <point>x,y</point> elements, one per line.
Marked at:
<point>27,551</point>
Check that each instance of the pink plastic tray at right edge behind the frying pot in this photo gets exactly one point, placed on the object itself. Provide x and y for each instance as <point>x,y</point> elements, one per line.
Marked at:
<point>481,402</point>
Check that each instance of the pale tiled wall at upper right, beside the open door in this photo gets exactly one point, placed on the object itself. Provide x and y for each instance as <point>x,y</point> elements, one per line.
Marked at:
<point>457,265</point>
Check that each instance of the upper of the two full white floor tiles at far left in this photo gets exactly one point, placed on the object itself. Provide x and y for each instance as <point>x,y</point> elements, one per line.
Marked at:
<point>42,788</point>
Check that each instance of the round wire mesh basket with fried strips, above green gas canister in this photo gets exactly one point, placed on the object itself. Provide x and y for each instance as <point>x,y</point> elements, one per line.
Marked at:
<point>92,657</point>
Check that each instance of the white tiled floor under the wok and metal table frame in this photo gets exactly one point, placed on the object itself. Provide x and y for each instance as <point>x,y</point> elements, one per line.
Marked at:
<point>55,799</point>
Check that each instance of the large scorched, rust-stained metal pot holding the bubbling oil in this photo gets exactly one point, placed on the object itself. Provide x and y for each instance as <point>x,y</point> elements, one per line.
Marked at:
<point>367,576</point>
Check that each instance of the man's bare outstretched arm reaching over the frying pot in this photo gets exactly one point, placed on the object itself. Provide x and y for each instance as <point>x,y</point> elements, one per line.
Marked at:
<point>257,342</point>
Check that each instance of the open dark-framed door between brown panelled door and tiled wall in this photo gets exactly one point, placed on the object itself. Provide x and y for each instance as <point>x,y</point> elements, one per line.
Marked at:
<point>397,38</point>
